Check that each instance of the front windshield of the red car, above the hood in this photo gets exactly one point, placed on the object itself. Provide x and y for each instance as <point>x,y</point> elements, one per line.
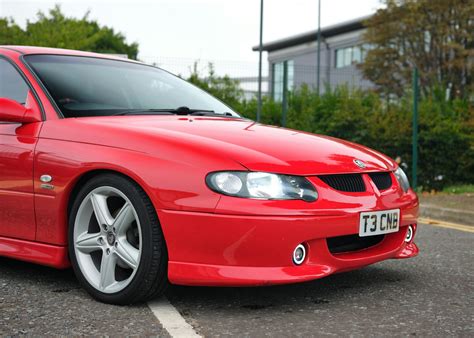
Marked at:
<point>87,86</point>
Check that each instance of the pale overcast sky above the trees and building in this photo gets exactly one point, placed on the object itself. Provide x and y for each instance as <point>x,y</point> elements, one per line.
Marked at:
<point>199,29</point>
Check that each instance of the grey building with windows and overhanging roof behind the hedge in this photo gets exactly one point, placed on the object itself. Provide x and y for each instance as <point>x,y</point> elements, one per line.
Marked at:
<point>293,60</point>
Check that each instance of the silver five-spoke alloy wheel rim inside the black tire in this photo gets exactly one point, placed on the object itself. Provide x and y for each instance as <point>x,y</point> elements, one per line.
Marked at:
<point>107,239</point>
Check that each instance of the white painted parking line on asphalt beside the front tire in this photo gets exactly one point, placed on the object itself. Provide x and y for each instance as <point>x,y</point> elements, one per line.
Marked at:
<point>171,319</point>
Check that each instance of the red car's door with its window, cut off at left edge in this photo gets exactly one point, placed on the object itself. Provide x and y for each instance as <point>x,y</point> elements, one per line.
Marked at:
<point>17,145</point>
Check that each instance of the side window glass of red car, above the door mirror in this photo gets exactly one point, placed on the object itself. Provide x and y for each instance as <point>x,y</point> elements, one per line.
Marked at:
<point>12,84</point>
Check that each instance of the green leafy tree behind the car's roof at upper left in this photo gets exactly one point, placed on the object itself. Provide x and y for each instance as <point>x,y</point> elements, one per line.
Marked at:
<point>56,30</point>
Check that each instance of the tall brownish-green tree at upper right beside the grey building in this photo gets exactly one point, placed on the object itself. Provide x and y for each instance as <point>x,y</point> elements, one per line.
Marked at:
<point>436,36</point>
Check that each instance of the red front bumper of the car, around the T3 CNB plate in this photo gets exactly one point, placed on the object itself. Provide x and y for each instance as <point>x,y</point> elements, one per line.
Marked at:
<point>247,250</point>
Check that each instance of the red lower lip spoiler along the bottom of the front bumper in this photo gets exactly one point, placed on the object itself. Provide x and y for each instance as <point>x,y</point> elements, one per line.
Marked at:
<point>233,276</point>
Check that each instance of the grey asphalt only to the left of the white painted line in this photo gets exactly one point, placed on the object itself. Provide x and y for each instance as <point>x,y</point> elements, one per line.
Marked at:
<point>39,301</point>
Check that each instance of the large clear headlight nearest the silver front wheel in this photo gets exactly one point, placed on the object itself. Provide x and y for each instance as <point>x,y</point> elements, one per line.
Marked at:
<point>262,185</point>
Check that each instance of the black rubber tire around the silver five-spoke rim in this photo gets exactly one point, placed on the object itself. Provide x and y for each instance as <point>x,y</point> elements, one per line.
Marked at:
<point>150,279</point>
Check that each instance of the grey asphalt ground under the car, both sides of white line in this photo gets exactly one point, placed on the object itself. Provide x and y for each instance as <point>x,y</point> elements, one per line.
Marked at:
<point>430,295</point>
